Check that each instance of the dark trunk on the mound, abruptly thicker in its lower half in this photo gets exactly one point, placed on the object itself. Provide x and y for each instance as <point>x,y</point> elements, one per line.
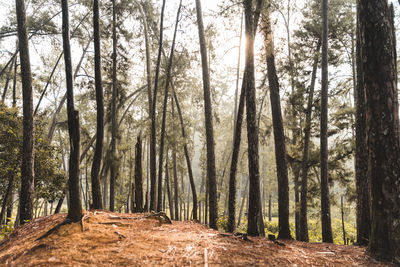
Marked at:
<point>75,207</point>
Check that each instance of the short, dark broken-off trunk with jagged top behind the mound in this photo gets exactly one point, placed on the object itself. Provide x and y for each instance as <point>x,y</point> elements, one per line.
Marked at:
<point>138,176</point>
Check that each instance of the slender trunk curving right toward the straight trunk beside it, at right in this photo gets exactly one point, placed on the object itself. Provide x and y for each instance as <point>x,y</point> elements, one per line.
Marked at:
<point>303,229</point>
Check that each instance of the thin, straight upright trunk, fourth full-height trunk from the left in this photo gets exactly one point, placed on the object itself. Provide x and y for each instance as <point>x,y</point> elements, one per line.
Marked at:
<point>113,158</point>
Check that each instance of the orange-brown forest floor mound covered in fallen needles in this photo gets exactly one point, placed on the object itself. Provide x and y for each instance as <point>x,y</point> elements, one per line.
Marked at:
<point>115,239</point>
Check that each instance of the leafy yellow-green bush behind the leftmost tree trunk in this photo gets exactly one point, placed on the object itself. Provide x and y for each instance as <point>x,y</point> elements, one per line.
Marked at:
<point>49,179</point>
